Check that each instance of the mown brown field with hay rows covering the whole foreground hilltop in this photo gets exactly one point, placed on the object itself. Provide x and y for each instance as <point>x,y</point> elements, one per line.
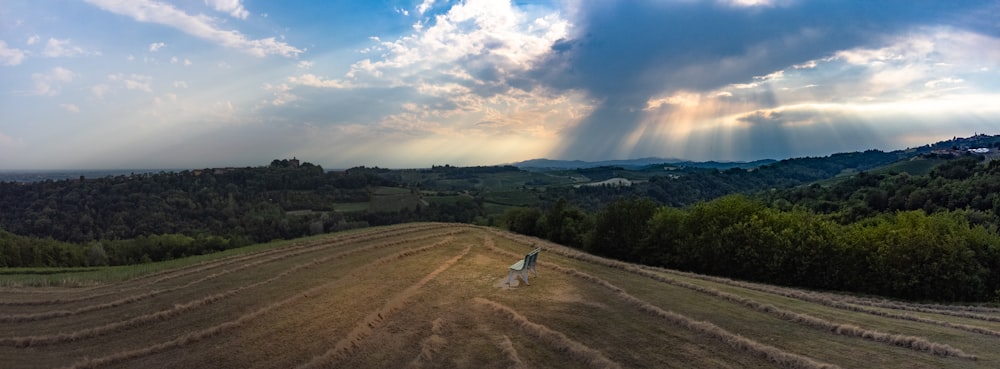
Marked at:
<point>432,295</point>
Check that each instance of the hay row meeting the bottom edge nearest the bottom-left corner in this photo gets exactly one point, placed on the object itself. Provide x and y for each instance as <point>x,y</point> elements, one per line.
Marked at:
<point>197,336</point>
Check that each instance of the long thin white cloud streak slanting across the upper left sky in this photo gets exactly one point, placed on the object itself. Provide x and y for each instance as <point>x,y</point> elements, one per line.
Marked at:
<point>200,26</point>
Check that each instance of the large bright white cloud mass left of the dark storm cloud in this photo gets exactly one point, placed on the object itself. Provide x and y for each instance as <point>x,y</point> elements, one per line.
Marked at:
<point>452,80</point>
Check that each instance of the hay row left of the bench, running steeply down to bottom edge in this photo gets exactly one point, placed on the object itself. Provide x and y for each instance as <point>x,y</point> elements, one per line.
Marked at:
<point>366,326</point>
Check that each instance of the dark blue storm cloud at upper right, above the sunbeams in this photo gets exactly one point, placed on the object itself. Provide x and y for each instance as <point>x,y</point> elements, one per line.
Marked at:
<point>629,51</point>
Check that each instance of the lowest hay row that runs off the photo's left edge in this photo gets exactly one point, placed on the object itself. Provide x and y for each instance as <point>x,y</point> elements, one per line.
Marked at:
<point>176,310</point>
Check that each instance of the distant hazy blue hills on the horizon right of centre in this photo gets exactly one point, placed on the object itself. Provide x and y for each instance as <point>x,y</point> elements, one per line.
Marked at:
<point>549,164</point>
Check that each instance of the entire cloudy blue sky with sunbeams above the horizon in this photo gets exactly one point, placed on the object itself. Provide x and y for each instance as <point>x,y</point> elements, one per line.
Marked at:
<point>112,84</point>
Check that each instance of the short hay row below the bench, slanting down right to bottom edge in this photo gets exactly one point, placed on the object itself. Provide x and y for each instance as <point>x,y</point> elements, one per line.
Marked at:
<point>548,336</point>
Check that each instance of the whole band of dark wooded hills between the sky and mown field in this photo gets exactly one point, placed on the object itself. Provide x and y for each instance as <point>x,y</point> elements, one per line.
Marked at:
<point>918,224</point>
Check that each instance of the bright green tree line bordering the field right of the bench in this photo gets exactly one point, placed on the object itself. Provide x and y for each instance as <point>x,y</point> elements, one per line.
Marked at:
<point>908,254</point>
